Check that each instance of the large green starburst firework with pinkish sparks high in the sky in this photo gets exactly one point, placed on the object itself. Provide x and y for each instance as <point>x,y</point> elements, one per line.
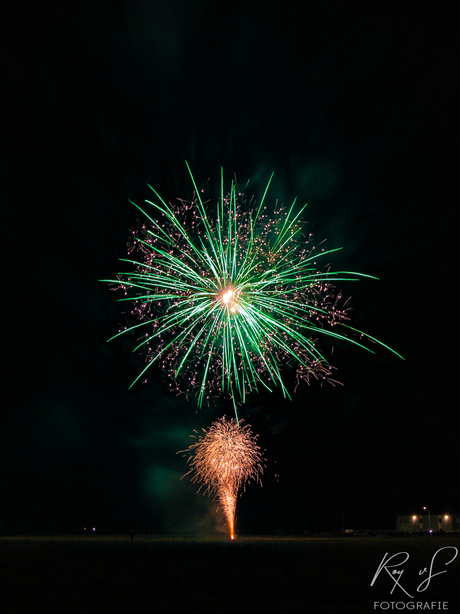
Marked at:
<point>222,301</point>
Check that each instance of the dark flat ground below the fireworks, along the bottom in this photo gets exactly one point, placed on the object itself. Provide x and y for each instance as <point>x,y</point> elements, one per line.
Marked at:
<point>157,574</point>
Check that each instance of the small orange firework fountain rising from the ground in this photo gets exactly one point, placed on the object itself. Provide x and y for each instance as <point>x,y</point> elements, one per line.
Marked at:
<point>224,459</point>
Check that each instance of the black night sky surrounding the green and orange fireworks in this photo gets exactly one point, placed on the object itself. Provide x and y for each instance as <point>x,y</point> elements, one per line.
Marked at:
<point>353,110</point>
